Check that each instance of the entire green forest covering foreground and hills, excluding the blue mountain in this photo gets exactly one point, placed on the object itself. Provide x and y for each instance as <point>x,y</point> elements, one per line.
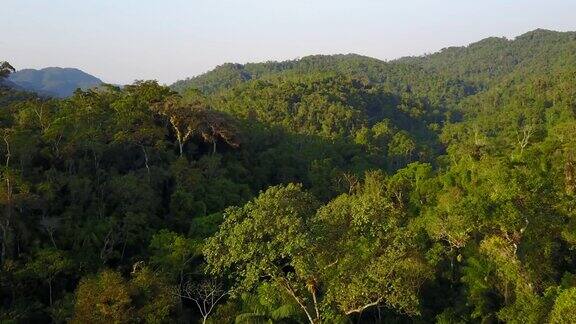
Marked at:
<point>332,189</point>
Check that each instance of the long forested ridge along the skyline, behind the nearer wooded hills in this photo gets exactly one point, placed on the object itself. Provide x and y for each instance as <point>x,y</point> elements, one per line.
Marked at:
<point>472,65</point>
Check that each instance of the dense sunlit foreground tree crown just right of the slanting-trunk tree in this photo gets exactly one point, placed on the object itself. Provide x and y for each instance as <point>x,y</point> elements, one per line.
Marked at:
<point>366,253</point>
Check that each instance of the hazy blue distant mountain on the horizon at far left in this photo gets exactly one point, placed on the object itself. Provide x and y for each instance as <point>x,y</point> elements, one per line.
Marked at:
<point>54,81</point>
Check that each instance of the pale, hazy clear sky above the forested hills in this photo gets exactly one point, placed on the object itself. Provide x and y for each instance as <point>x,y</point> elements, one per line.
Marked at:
<point>120,41</point>
